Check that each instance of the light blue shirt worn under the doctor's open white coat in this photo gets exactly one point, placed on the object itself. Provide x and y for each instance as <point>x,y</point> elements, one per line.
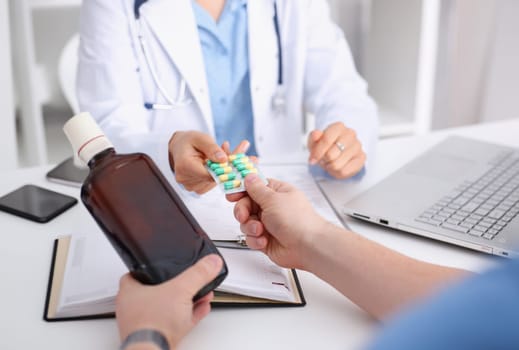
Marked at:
<point>226,58</point>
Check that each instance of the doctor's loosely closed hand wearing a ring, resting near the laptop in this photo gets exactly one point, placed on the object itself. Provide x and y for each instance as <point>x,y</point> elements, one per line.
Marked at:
<point>337,150</point>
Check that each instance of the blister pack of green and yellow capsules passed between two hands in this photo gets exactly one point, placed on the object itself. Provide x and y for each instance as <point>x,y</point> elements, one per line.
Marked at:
<point>230,175</point>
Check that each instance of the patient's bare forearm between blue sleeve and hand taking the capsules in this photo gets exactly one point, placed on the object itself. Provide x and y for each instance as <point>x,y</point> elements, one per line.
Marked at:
<point>374,277</point>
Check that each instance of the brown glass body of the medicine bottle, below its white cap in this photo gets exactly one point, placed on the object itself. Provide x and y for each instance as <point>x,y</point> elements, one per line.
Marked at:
<point>144,218</point>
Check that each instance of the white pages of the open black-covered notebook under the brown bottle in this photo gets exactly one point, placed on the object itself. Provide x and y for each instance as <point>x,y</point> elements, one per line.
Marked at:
<point>93,270</point>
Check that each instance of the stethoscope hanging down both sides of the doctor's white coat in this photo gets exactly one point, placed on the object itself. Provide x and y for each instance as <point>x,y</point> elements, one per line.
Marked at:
<point>181,100</point>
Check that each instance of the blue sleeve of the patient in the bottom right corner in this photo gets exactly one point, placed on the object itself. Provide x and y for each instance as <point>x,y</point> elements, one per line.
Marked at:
<point>481,312</point>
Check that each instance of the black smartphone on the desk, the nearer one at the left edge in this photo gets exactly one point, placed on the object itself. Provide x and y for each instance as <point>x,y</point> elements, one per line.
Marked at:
<point>36,203</point>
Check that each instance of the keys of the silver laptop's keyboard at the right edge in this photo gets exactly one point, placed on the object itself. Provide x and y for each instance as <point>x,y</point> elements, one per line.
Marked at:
<point>481,208</point>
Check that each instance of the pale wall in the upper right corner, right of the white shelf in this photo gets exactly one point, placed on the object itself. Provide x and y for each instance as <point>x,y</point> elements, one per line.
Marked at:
<point>478,73</point>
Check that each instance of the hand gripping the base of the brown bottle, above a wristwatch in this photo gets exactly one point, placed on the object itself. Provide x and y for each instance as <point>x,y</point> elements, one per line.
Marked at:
<point>167,307</point>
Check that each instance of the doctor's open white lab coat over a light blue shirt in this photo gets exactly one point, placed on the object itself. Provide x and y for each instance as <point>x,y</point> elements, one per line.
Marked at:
<point>114,81</point>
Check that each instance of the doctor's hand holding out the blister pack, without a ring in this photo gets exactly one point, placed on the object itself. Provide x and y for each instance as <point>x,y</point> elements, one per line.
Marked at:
<point>188,151</point>
